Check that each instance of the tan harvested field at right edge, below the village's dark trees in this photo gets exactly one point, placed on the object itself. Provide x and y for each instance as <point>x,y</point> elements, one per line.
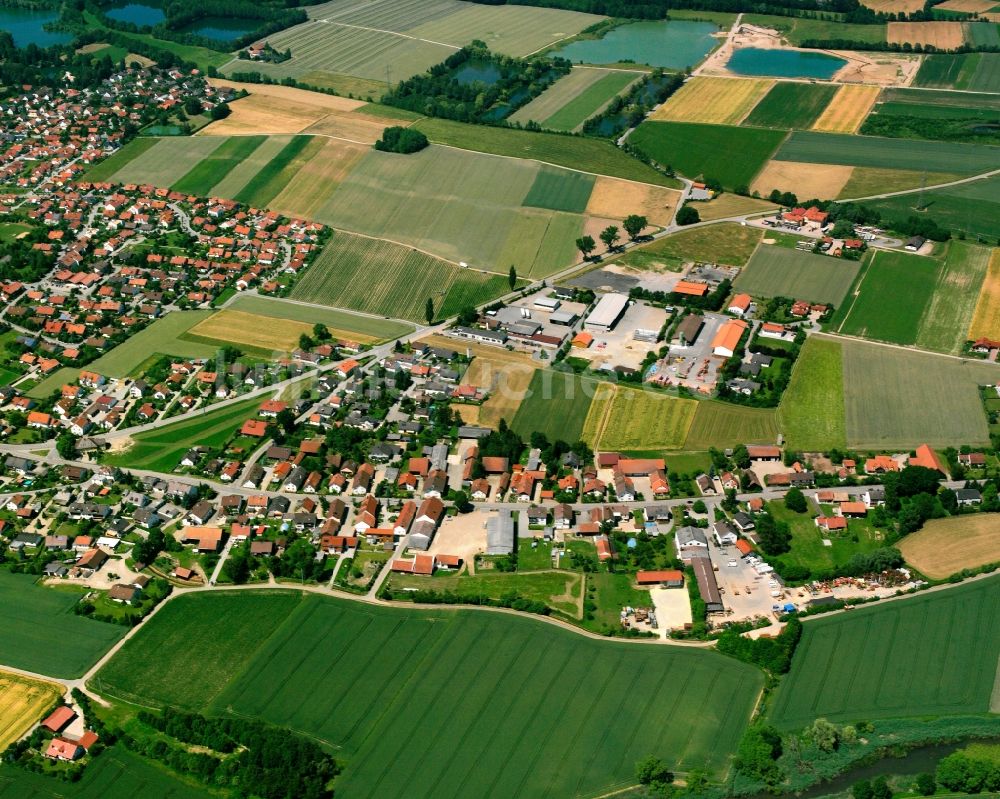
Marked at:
<point>946,546</point>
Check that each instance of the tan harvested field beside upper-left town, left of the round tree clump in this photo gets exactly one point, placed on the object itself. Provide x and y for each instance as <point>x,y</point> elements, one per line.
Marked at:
<point>277,109</point>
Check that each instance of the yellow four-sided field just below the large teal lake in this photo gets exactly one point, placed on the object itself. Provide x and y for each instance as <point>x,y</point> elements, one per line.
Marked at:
<point>711,100</point>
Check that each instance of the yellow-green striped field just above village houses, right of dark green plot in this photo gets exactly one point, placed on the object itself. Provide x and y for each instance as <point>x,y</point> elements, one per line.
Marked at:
<point>624,418</point>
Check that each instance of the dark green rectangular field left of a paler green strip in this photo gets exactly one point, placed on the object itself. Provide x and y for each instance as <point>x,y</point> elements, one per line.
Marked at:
<point>893,294</point>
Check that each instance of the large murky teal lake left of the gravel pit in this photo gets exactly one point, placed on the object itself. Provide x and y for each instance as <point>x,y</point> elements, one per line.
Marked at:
<point>671,44</point>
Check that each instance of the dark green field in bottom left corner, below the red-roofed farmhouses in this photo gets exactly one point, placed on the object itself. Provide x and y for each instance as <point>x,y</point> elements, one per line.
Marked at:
<point>116,774</point>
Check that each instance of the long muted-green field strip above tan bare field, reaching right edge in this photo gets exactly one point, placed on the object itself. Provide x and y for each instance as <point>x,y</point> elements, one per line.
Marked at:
<point>869,151</point>
